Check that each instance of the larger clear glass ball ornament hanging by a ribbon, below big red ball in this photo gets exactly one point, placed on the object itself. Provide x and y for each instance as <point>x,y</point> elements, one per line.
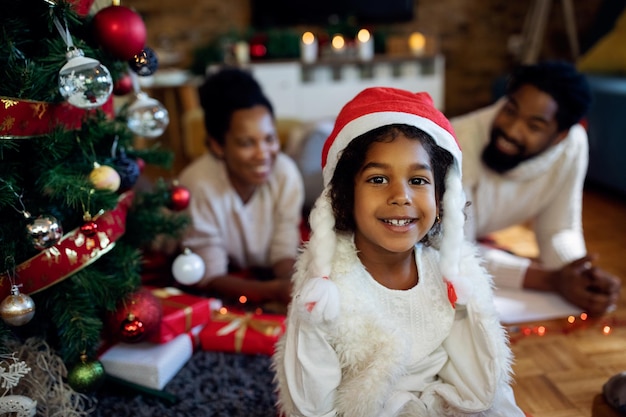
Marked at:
<point>84,82</point>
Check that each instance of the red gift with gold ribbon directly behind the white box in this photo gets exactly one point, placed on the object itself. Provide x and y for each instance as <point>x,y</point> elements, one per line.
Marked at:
<point>181,312</point>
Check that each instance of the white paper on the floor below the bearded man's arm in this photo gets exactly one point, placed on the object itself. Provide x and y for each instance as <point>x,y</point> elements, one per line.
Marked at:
<point>521,306</point>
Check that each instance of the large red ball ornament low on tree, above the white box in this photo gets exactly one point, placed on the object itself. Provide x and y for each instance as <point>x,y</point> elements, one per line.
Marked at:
<point>137,316</point>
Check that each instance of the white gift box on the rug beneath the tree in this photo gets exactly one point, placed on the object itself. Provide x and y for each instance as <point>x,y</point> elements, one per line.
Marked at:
<point>151,365</point>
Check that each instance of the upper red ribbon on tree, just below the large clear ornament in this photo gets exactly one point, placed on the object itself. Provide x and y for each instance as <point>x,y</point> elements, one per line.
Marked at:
<point>22,119</point>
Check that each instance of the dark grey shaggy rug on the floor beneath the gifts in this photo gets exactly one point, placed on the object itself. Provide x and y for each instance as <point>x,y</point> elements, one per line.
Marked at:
<point>211,384</point>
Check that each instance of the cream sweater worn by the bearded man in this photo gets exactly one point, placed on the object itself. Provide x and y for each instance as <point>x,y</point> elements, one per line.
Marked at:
<point>545,191</point>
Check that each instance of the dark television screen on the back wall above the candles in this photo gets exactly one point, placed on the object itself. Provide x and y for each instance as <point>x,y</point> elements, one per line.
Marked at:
<point>277,13</point>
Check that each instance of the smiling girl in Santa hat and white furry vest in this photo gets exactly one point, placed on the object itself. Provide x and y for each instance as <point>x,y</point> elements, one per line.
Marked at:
<point>392,313</point>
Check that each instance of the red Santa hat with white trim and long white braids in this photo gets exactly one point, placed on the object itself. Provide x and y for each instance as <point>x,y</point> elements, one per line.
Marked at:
<point>370,109</point>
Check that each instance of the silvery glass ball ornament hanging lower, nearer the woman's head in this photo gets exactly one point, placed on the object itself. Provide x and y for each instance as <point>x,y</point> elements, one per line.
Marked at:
<point>147,117</point>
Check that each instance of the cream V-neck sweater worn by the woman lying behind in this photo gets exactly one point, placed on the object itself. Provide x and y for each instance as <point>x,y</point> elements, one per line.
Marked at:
<point>259,233</point>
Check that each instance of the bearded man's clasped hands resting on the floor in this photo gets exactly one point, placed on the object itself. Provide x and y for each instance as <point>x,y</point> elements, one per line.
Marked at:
<point>587,286</point>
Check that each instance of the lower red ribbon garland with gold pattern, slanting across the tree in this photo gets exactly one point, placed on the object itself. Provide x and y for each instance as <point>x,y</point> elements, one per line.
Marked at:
<point>72,253</point>
